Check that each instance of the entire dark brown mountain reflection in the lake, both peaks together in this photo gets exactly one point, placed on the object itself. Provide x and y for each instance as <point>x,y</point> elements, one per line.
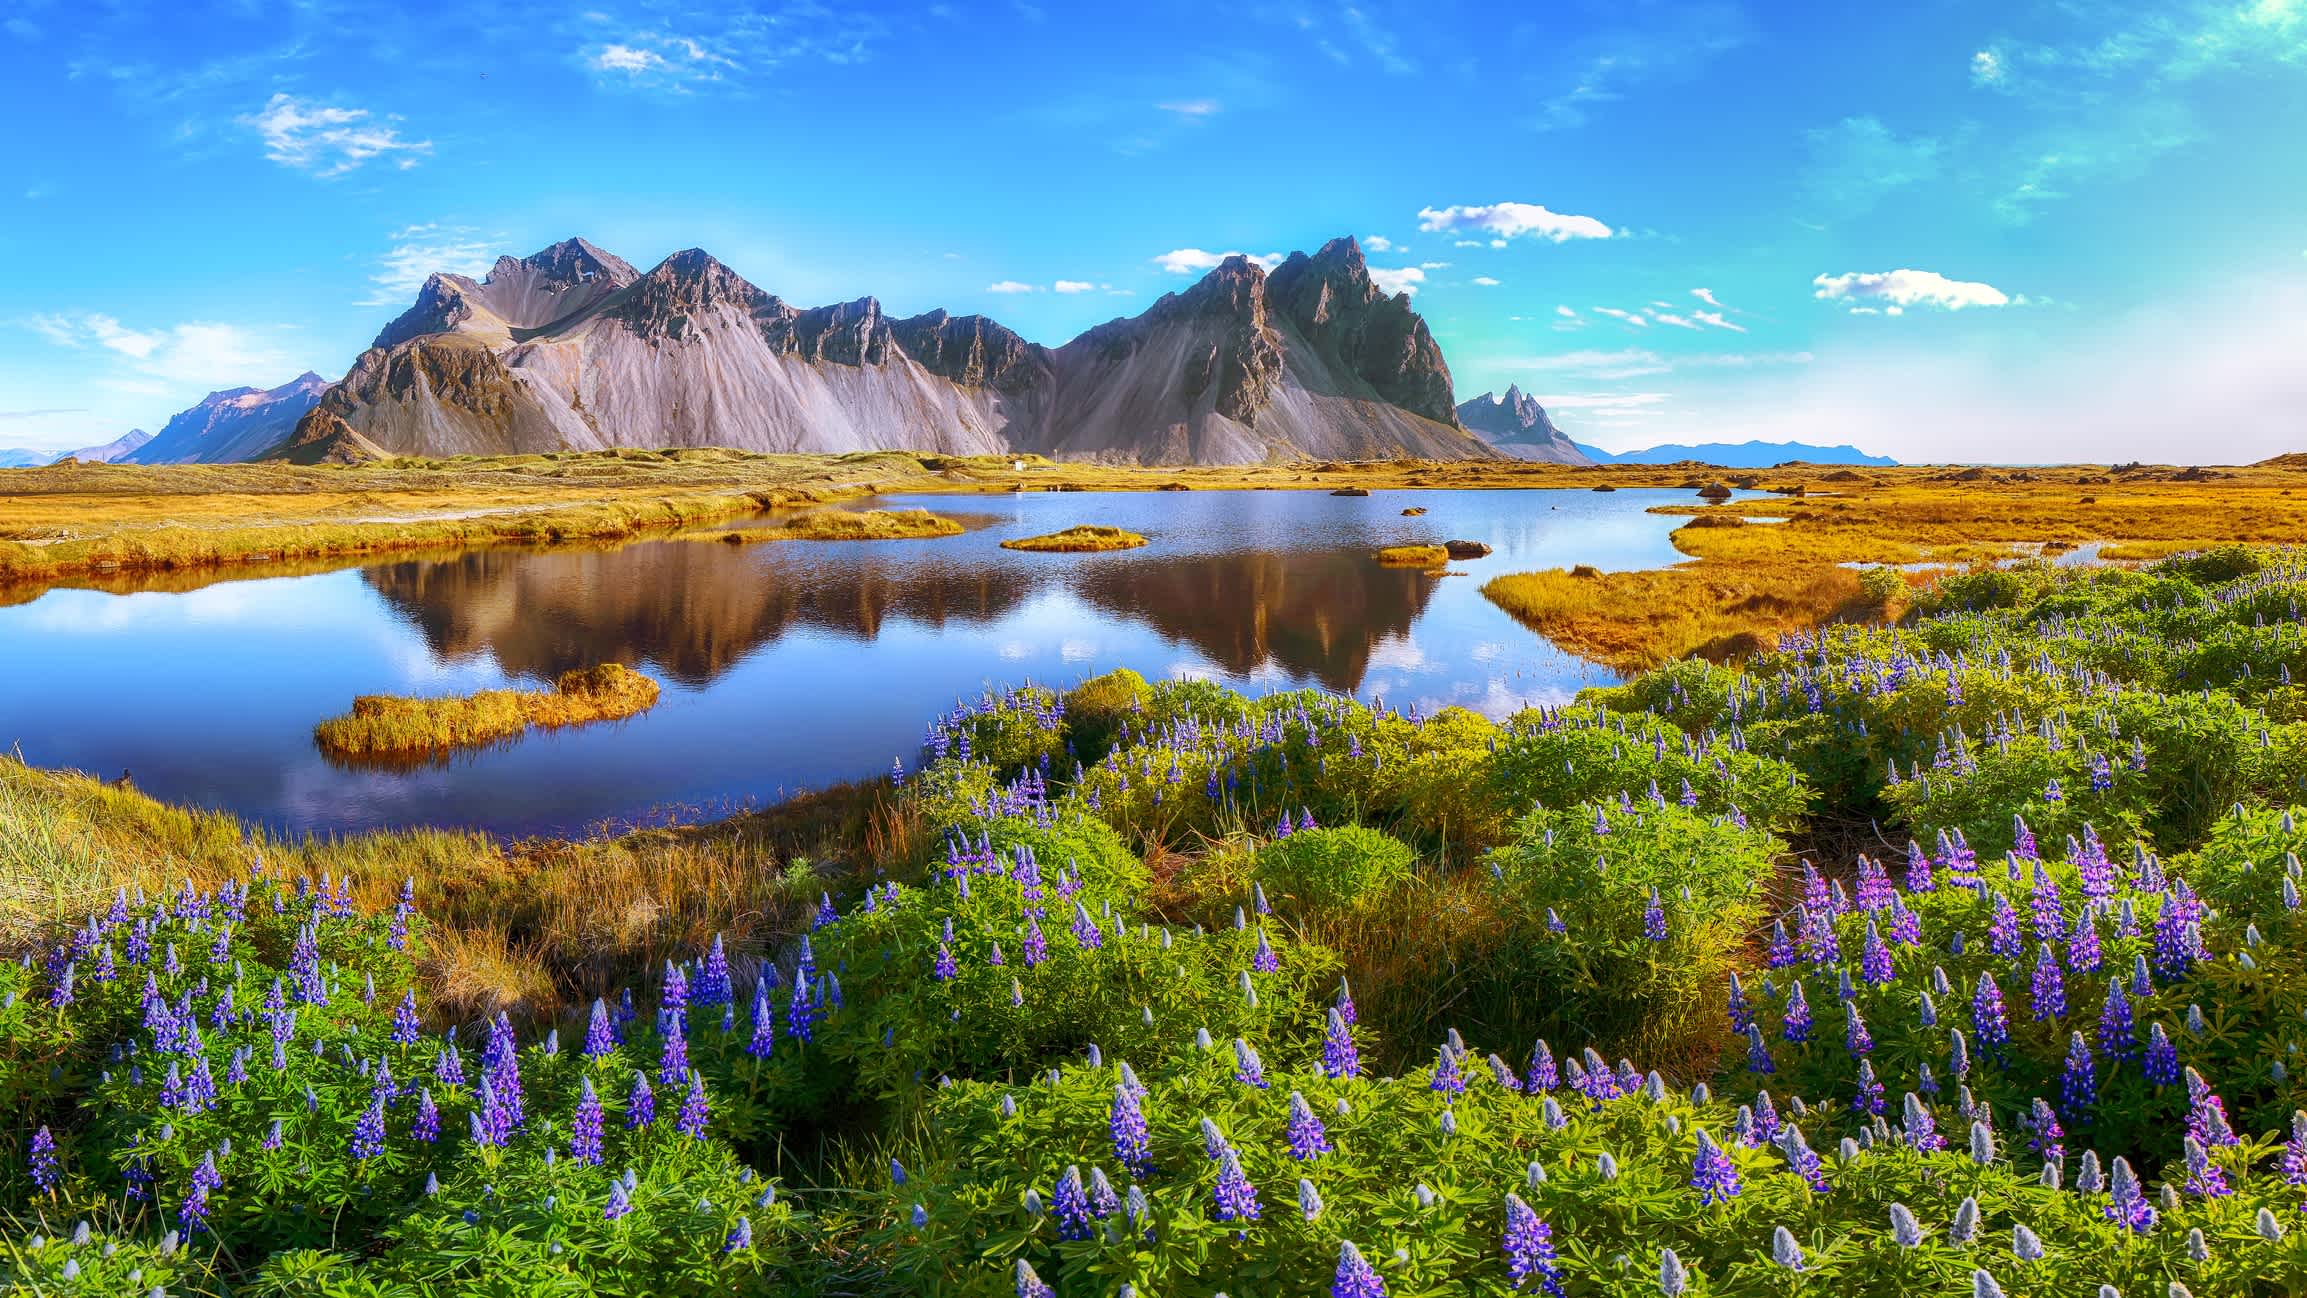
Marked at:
<point>696,610</point>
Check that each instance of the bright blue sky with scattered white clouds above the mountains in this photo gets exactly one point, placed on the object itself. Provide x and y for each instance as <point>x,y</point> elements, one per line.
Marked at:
<point>1944,232</point>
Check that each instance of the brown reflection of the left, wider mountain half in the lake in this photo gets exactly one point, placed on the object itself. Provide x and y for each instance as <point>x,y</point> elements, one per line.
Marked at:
<point>689,610</point>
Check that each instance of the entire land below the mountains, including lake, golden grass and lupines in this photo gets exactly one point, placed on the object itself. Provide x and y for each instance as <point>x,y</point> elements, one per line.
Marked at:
<point>1898,861</point>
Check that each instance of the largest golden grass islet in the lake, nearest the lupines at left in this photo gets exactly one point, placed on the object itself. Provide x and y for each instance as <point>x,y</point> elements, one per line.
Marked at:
<point>391,727</point>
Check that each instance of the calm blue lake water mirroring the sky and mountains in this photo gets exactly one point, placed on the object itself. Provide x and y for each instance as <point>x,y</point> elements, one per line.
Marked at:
<point>788,665</point>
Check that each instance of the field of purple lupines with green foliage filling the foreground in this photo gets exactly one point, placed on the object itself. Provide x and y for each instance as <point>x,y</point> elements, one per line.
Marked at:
<point>1948,958</point>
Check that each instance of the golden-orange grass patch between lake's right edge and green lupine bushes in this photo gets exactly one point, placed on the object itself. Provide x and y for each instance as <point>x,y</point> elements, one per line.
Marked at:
<point>1632,621</point>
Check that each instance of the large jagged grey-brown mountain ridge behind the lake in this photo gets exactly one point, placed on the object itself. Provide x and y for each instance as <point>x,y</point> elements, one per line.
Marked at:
<point>573,349</point>
